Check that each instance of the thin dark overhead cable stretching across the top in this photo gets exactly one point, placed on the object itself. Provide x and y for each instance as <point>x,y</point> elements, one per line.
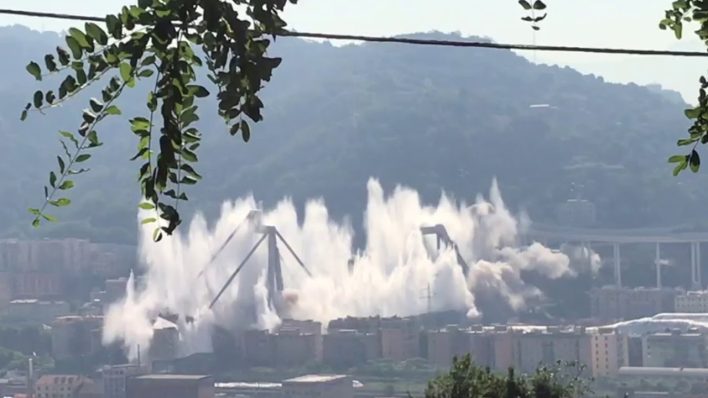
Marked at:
<point>406,40</point>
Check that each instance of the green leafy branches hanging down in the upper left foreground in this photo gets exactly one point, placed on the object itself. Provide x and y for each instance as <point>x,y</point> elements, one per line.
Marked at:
<point>164,42</point>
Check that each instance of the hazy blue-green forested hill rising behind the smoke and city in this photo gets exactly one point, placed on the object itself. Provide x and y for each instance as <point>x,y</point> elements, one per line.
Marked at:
<point>432,118</point>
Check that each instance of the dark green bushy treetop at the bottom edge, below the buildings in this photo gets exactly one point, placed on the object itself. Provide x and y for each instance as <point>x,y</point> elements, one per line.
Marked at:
<point>465,379</point>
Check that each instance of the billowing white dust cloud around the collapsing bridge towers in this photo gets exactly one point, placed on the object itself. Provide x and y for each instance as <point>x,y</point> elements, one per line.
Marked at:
<point>390,276</point>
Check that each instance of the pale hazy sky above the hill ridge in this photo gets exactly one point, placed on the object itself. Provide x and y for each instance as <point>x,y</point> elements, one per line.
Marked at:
<point>612,23</point>
